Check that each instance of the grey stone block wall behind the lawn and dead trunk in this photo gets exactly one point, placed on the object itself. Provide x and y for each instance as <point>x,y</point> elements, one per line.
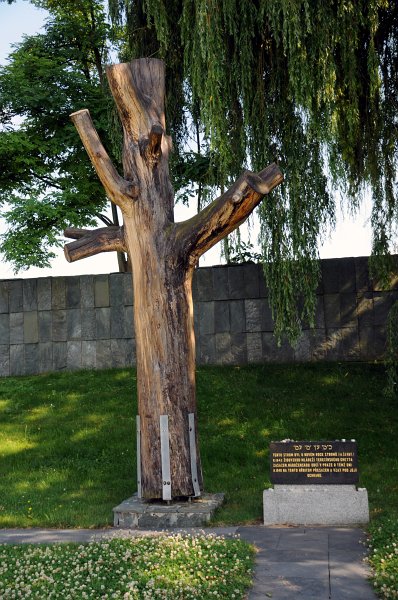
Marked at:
<point>60,323</point>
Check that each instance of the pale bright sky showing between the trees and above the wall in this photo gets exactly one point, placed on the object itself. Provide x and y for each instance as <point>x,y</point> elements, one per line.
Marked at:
<point>352,236</point>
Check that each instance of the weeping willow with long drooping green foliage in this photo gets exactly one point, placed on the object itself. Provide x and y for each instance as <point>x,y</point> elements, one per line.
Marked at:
<point>311,85</point>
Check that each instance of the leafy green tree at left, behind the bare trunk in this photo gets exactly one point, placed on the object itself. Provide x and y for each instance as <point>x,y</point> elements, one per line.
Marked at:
<point>46,180</point>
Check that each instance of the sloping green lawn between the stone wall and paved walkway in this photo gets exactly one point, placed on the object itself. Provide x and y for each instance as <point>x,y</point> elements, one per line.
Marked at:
<point>67,440</point>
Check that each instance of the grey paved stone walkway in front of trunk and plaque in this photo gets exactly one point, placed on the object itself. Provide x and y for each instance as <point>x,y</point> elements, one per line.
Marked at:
<point>292,563</point>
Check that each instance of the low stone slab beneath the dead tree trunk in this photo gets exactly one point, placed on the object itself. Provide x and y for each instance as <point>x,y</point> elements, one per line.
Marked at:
<point>138,513</point>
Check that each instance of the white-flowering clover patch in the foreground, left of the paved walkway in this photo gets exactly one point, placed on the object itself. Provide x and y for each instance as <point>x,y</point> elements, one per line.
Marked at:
<point>175,568</point>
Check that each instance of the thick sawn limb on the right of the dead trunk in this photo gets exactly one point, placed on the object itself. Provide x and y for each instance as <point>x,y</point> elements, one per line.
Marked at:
<point>195,236</point>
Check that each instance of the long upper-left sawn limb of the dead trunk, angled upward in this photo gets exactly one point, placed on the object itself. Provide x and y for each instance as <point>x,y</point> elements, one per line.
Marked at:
<point>118,189</point>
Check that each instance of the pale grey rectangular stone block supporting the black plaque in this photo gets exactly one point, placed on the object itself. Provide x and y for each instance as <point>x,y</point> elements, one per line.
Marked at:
<point>315,505</point>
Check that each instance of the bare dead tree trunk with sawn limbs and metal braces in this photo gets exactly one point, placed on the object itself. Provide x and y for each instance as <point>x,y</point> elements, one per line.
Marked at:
<point>163,255</point>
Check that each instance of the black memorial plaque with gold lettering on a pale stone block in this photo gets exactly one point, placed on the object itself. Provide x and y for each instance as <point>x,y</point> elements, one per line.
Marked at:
<point>312,463</point>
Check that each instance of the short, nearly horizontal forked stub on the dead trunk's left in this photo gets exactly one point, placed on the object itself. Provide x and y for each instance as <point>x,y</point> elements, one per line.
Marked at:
<point>90,242</point>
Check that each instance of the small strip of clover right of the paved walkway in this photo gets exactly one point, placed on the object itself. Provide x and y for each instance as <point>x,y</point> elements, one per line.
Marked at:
<point>383,556</point>
